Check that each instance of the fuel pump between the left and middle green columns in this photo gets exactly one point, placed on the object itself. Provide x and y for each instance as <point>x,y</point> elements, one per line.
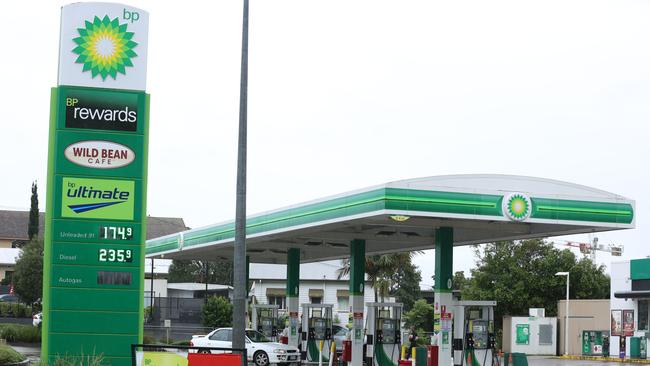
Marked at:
<point>316,327</point>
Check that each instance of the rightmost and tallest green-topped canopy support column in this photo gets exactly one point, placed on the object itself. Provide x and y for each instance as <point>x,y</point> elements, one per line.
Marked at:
<point>442,321</point>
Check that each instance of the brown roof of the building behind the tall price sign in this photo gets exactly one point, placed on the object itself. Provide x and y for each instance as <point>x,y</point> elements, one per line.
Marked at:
<point>13,225</point>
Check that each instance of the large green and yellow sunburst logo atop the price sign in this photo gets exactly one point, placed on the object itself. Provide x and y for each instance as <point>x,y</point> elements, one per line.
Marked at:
<point>105,47</point>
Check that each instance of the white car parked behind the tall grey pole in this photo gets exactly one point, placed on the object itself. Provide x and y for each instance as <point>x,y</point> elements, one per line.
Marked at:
<point>258,348</point>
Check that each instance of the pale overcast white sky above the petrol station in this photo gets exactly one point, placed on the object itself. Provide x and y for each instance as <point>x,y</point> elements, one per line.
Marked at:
<point>349,94</point>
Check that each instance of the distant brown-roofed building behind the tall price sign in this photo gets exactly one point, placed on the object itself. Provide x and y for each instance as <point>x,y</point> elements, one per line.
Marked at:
<point>13,233</point>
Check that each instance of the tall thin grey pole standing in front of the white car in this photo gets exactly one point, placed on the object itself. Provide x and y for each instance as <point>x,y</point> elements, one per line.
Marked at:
<point>239,262</point>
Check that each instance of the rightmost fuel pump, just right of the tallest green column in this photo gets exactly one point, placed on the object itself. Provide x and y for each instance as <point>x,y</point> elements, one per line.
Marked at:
<point>474,339</point>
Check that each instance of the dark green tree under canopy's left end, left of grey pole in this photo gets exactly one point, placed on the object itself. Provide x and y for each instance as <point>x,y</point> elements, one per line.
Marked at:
<point>219,271</point>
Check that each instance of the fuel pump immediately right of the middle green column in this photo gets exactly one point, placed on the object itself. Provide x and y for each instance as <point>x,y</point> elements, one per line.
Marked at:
<point>384,336</point>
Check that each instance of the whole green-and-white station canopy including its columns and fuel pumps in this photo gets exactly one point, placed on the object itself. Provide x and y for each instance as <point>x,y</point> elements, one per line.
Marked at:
<point>438,213</point>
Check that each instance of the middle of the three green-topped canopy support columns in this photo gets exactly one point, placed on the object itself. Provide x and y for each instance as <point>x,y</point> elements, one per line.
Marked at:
<point>357,284</point>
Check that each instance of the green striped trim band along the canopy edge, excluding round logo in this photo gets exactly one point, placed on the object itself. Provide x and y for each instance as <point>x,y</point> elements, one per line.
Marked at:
<point>485,205</point>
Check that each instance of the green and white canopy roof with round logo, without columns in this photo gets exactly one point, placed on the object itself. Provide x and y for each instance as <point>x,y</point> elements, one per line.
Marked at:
<point>401,216</point>
